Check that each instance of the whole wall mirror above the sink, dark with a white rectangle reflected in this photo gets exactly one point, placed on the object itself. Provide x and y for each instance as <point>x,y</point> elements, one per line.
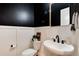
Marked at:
<point>60,14</point>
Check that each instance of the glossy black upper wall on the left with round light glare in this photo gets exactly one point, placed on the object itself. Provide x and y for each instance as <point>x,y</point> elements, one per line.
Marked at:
<point>17,14</point>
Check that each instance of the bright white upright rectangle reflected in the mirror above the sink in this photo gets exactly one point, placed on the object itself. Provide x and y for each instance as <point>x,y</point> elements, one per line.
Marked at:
<point>65,16</point>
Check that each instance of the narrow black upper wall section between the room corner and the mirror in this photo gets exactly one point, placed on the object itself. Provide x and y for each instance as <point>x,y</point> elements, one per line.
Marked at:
<point>41,13</point>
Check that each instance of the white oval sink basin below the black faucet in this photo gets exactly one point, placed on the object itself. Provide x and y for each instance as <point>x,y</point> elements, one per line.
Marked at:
<point>58,48</point>
